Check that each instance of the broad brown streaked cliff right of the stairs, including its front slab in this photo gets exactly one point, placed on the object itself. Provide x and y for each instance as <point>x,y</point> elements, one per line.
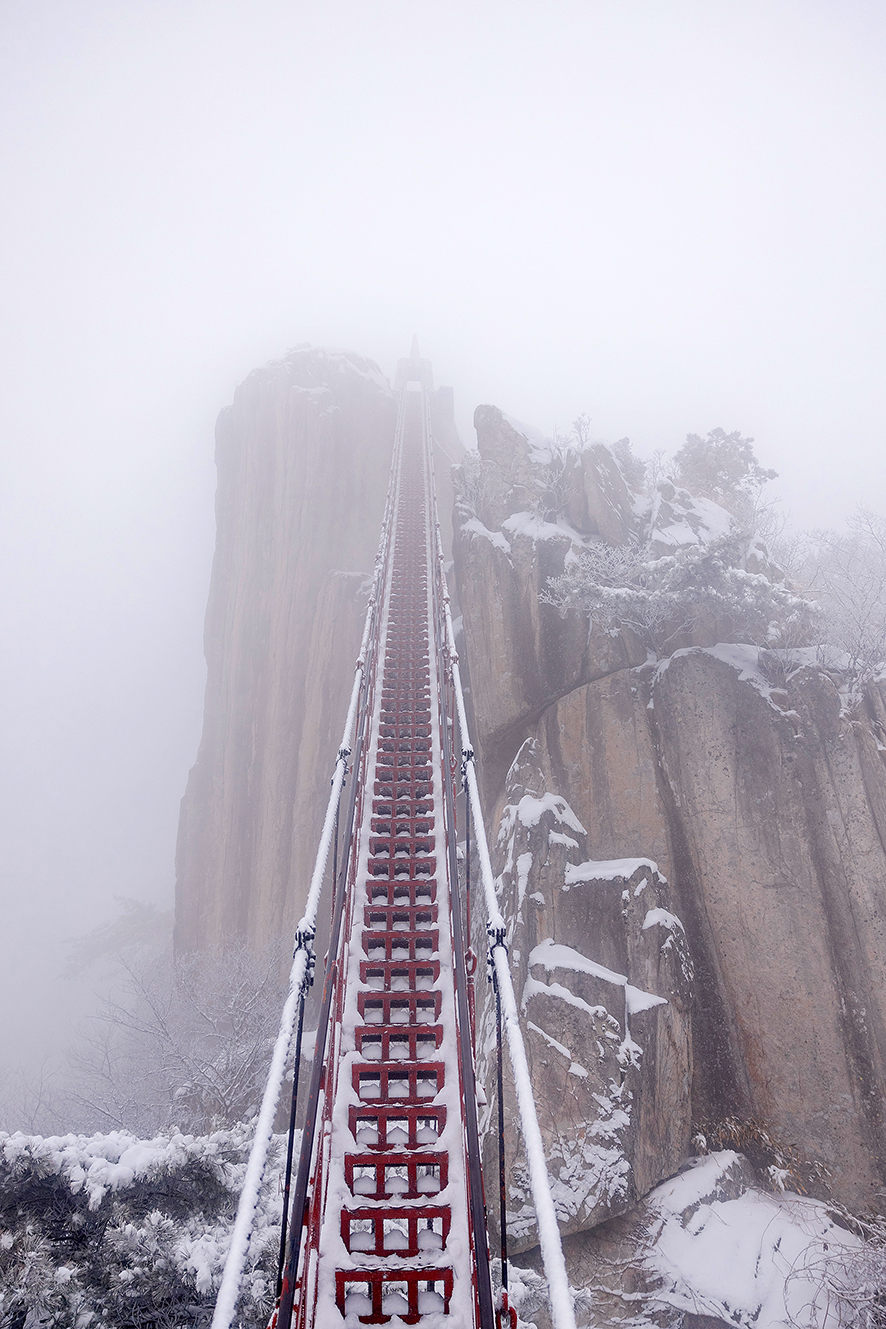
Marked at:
<point>764,810</point>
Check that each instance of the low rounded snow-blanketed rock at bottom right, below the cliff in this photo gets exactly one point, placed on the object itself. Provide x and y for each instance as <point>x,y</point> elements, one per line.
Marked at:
<point>710,1245</point>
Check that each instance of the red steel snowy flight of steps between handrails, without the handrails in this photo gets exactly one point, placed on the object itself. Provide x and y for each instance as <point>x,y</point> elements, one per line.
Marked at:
<point>391,1233</point>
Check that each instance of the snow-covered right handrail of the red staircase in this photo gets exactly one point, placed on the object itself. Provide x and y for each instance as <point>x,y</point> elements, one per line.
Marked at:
<point>549,1235</point>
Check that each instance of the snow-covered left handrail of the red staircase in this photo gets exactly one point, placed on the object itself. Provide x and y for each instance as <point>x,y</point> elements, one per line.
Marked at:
<point>300,975</point>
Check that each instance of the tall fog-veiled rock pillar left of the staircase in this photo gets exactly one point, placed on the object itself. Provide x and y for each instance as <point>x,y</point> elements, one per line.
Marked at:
<point>304,457</point>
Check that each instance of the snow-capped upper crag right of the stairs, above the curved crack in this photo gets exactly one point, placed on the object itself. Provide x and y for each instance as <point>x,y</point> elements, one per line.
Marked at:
<point>505,554</point>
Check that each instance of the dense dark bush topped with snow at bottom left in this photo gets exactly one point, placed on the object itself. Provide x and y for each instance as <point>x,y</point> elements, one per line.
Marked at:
<point>126,1231</point>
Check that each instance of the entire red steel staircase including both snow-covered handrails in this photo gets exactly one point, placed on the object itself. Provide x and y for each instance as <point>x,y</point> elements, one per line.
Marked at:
<point>389,1218</point>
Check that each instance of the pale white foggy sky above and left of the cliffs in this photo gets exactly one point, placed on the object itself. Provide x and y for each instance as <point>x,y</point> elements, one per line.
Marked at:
<point>666,213</point>
